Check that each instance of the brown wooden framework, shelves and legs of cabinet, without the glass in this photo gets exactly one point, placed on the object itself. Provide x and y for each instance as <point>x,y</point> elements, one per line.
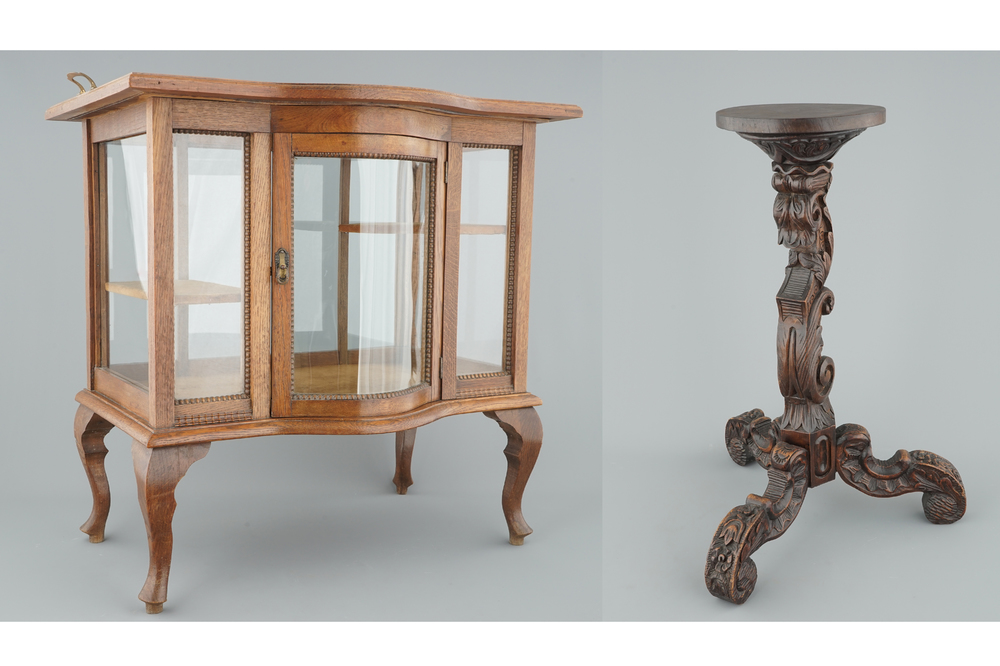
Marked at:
<point>281,120</point>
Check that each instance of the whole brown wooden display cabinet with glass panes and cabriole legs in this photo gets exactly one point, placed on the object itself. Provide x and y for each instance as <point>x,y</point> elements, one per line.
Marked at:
<point>276,259</point>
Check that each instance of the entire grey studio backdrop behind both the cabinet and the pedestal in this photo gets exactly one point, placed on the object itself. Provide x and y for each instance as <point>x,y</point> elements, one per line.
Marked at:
<point>654,271</point>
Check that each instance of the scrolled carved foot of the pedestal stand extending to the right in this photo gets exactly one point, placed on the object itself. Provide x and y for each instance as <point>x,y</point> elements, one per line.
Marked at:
<point>905,472</point>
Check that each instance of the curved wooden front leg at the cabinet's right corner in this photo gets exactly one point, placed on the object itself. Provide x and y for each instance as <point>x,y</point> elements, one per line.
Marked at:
<point>524,441</point>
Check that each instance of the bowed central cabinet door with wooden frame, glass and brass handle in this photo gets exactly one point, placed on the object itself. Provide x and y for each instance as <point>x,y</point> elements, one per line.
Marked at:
<point>354,274</point>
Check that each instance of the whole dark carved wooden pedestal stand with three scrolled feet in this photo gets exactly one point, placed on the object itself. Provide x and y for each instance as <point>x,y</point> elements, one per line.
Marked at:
<point>804,447</point>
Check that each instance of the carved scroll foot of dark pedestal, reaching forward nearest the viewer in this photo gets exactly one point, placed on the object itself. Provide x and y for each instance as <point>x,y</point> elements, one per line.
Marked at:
<point>730,574</point>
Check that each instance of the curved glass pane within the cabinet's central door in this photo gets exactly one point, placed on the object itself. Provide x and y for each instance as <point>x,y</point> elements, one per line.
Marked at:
<point>359,269</point>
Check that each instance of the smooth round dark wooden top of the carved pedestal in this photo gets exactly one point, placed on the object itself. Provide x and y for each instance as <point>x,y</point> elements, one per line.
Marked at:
<point>799,118</point>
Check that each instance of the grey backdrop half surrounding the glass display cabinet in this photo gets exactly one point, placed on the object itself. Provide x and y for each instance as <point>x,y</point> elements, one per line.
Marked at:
<point>304,528</point>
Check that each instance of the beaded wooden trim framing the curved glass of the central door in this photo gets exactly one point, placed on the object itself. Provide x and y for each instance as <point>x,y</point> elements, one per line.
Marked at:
<point>428,287</point>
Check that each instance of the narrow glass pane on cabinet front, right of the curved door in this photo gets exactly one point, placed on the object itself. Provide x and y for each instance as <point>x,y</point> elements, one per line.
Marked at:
<point>483,261</point>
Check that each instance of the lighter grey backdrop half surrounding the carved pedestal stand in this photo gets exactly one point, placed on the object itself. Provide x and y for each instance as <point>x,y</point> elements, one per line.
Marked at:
<point>691,268</point>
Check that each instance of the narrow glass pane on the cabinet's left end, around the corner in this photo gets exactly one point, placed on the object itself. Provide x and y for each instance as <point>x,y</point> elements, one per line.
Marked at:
<point>122,177</point>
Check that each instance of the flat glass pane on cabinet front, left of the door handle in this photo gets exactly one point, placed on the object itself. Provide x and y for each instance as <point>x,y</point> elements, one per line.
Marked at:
<point>210,227</point>
